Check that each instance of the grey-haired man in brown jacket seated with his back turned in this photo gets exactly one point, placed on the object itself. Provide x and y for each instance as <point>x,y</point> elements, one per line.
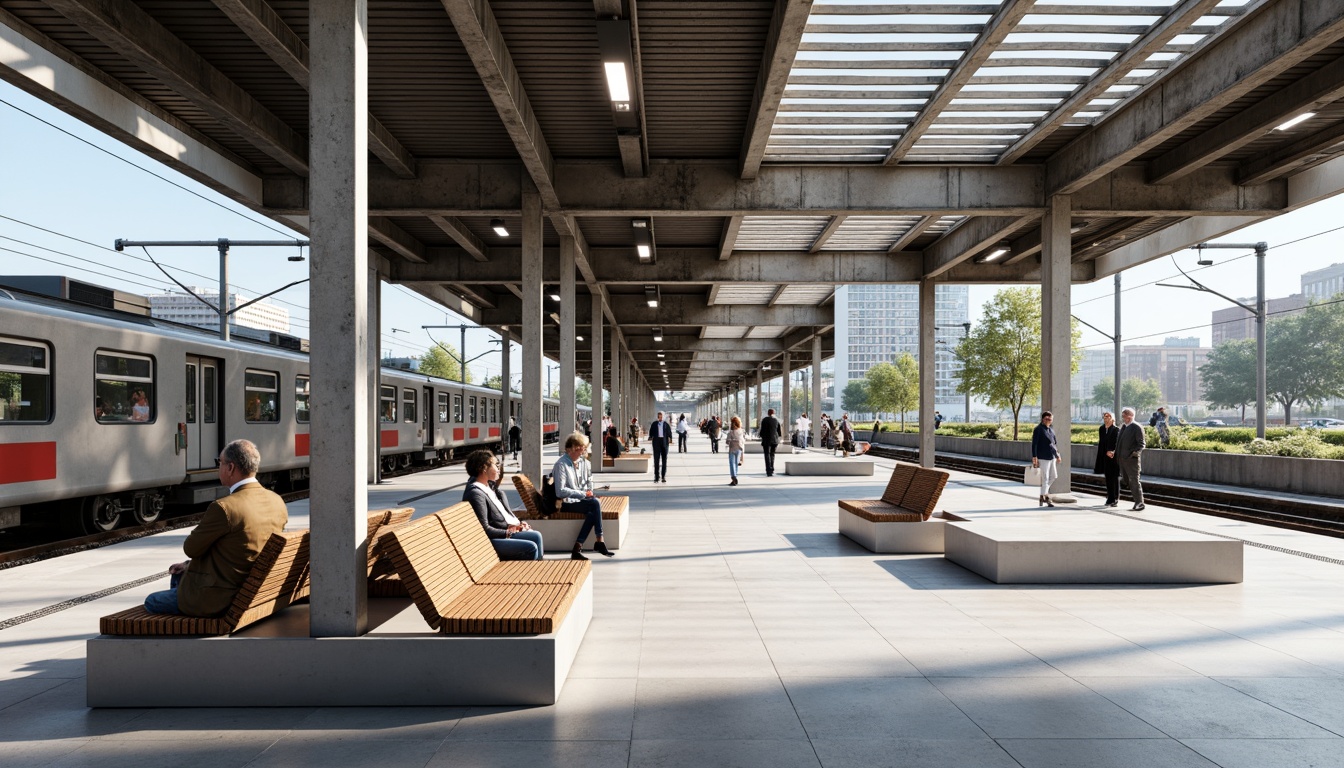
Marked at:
<point>226,543</point>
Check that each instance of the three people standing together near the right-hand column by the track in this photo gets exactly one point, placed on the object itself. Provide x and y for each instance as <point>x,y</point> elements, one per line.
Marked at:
<point>1119,457</point>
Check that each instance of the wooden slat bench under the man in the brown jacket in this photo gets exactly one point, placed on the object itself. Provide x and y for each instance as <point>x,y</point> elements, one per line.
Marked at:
<point>279,578</point>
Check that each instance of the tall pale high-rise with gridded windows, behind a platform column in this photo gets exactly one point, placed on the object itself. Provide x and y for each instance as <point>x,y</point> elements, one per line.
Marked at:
<point>877,323</point>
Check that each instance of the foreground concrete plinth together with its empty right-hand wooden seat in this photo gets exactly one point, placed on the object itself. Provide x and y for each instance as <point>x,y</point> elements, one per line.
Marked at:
<point>499,634</point>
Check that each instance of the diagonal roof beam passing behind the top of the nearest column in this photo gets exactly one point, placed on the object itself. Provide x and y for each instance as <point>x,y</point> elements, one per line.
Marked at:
<point>287,49</point>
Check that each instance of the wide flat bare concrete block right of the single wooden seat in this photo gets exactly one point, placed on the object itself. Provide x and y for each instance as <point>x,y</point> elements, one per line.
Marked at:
<point>1091,551</point>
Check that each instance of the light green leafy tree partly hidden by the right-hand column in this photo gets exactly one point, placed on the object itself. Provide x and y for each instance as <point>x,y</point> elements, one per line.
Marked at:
<point>1002,357</point>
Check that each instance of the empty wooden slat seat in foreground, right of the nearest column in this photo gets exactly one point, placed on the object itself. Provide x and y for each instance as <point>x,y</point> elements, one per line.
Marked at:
<point>460,586</point>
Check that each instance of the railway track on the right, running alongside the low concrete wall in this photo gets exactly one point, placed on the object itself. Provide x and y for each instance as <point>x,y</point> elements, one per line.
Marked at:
<point>1247,506</point>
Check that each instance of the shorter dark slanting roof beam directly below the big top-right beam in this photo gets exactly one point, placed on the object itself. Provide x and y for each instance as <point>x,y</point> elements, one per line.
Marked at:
<point>1307,95</point>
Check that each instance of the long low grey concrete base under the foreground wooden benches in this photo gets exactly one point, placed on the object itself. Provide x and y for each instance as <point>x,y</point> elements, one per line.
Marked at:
<point>401,662</point>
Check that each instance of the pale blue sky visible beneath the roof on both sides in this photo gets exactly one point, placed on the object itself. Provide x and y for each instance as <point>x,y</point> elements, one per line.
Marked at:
<point>91,190</point>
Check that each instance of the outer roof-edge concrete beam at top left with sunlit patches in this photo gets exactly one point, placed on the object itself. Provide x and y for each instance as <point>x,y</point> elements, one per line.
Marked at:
<point>37,65</point>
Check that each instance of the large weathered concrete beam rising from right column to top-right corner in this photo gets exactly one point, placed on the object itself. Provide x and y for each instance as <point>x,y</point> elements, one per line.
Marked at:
<point>1271,41</point>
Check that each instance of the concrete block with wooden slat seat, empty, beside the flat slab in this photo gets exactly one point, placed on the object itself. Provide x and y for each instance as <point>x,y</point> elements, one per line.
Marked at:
<point>902,521</point>
